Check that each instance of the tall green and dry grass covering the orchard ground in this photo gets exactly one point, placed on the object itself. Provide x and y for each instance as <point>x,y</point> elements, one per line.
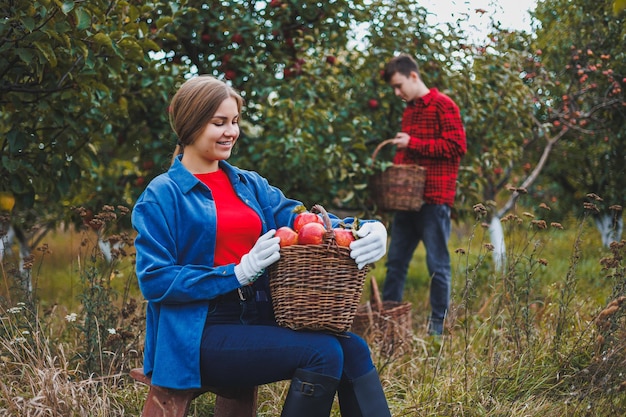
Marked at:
<point>543,336</point>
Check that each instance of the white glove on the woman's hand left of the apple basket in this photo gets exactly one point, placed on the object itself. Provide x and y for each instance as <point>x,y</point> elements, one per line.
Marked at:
<point>265,252</point>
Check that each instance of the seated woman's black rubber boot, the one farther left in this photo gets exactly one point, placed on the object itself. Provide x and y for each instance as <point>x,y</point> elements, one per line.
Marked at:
<point>310,395</point>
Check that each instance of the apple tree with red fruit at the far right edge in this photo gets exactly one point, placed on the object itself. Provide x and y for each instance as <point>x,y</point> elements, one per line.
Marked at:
<point>582,100</point>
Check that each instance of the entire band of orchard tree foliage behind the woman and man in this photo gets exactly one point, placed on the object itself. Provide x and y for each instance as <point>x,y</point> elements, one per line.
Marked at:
<point>85,89</point>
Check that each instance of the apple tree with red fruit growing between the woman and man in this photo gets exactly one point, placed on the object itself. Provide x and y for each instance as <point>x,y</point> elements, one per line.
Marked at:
<point>306,120</point>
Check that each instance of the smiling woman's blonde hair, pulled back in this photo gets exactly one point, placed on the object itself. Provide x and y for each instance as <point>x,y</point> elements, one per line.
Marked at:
<point>194,105</point>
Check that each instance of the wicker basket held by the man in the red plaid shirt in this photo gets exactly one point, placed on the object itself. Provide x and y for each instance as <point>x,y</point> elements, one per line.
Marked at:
<point>399,187</point>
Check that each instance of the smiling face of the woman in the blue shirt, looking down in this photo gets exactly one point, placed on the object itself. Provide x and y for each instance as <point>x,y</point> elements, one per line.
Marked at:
<point>215,143</point>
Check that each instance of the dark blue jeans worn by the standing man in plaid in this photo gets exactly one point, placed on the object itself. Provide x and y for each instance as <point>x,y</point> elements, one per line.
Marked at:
<point>430,225</point>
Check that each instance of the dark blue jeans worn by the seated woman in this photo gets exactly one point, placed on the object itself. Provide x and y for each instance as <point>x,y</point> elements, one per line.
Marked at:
<point>239,349</point>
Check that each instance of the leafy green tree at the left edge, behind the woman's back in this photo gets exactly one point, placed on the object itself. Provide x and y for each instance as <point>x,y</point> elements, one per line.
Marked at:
<point>81,102</point>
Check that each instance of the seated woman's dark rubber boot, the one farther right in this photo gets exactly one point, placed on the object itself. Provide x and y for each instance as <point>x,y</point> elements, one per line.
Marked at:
<point>363,397</point>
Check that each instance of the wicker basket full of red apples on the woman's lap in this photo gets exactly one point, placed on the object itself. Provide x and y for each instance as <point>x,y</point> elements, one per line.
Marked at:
<point>316,287</point>
